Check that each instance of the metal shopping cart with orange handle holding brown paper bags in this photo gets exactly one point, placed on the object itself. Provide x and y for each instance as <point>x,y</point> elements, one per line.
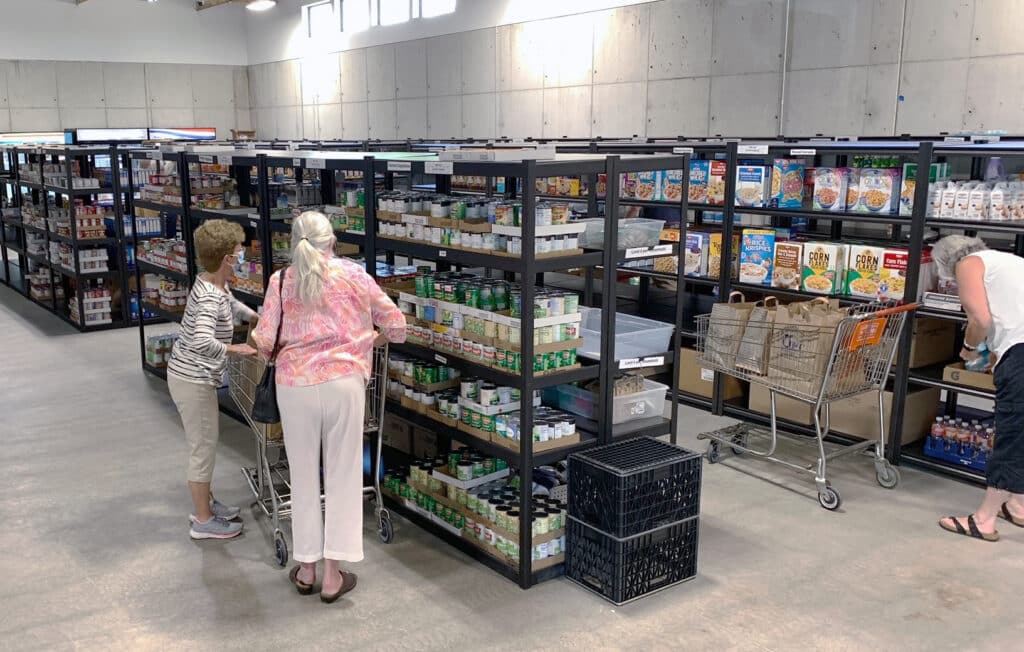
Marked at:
<point>816,365</point>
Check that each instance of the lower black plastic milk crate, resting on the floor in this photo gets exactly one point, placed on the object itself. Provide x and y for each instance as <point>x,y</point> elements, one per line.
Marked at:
<point>625,570</point>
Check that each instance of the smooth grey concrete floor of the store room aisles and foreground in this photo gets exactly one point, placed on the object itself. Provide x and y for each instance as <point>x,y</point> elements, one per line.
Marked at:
<point>98,555</point>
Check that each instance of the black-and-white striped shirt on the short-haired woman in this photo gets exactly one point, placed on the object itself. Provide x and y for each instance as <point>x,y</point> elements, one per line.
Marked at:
<point>206,331</point>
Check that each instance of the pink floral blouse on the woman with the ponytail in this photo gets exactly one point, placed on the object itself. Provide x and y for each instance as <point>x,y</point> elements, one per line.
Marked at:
<point>335,339</point>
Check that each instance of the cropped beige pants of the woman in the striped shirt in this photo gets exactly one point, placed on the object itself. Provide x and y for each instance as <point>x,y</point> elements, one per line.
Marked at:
<point>201,419</point>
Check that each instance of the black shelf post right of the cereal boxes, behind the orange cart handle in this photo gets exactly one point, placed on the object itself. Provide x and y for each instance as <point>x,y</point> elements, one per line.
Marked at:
<point>910,295</point>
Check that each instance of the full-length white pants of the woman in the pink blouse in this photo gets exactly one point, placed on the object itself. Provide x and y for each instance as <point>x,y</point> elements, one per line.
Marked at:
<point>328,416</point>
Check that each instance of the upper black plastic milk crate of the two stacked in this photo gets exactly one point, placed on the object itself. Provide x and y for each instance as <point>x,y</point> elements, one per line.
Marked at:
<point>634,487</point>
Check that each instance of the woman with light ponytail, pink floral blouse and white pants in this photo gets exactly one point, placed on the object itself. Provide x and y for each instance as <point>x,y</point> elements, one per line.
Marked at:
<point>328,309</point>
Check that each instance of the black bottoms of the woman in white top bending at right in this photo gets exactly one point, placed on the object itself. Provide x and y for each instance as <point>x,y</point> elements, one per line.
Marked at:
<point>1006,465</point>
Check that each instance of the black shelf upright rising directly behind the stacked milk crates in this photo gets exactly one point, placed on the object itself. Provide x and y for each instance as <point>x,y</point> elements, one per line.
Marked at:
<point>610,303</point>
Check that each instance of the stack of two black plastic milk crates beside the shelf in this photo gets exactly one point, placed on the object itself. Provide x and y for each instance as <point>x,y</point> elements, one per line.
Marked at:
<point>634,518</point>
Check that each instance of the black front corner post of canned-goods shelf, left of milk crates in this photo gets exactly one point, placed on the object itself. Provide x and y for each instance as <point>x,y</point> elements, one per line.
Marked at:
<point>528,258</point>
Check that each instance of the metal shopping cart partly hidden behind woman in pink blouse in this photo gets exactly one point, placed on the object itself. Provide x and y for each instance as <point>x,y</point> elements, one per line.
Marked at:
<point>270,482</point>
